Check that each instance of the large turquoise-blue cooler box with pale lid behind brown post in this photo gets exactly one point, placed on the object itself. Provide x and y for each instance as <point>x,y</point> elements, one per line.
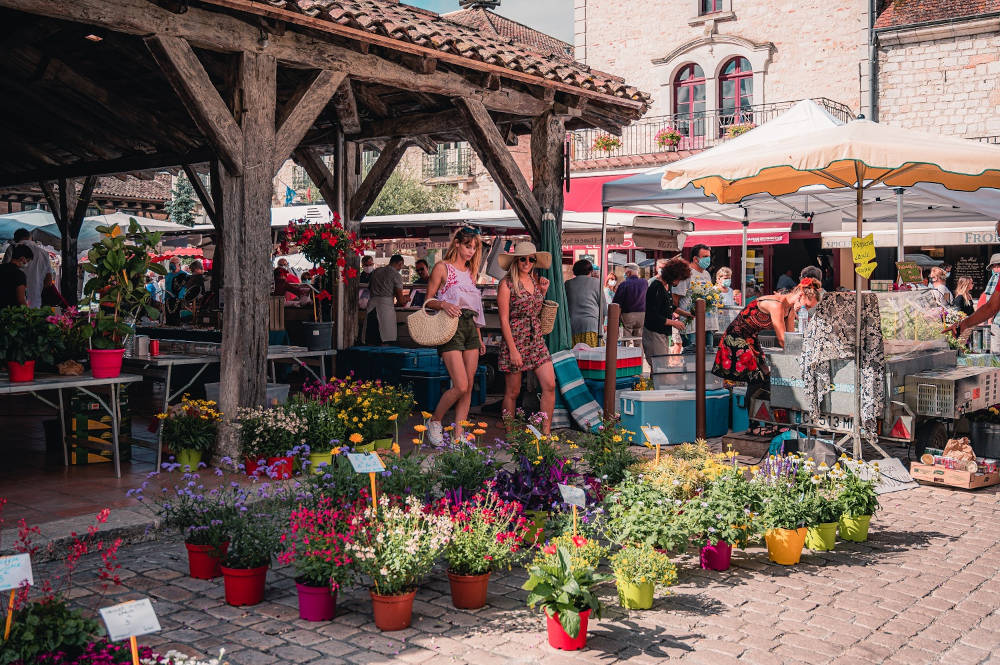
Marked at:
<point>674,412</point>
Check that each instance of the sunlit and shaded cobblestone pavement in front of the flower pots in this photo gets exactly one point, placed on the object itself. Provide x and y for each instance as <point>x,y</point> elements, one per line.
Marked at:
<point>922,590</point>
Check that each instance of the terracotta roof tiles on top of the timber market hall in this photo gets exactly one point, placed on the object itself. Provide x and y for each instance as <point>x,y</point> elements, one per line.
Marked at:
<point>509,44</point>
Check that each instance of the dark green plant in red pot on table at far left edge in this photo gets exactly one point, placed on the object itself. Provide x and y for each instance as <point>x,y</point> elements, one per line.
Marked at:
<point>25,338</point>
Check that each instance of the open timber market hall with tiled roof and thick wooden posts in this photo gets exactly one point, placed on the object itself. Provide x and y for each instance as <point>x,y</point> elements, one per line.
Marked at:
<point>236,87</point>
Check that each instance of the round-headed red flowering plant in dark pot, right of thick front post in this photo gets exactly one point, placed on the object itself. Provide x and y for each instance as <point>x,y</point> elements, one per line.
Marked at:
<point>327,246</point>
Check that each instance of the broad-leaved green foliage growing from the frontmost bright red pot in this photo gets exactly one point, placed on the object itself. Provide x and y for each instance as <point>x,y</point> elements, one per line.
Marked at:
<point>563,584</point>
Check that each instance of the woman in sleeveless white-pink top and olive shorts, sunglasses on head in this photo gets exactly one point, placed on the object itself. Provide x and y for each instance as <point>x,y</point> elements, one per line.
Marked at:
<point>452,286</point>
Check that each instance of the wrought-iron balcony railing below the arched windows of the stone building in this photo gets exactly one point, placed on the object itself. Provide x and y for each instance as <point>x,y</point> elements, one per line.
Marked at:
<point>697,131</point>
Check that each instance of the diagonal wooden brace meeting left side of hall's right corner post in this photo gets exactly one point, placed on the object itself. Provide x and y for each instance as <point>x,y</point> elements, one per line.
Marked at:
<point>489,144</point>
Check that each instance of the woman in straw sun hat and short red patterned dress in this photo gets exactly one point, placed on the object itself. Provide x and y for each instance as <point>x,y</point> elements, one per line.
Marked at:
<point>519,299</point>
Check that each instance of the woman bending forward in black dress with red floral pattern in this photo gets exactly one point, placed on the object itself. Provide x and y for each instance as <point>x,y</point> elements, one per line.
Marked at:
<point>739,357</point>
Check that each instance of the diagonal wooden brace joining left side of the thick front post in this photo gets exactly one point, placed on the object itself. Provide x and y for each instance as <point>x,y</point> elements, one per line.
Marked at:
<point>192,84</point>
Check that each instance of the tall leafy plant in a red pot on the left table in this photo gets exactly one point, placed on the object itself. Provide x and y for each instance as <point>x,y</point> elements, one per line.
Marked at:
<point>117,292</point>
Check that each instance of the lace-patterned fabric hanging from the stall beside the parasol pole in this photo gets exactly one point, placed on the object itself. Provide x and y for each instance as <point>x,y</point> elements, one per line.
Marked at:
<point>830,336</point>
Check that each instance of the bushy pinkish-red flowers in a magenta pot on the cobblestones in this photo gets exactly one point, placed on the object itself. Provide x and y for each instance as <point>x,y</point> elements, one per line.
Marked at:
<point>316,544</point>
